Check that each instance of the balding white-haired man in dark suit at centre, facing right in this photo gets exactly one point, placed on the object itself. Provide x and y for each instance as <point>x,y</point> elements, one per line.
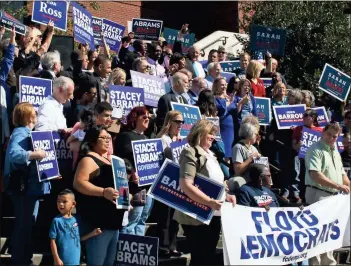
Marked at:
<point>180,85</point>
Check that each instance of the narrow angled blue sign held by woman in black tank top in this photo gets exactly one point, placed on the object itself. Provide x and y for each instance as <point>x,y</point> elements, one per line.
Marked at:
<point>120,179</point>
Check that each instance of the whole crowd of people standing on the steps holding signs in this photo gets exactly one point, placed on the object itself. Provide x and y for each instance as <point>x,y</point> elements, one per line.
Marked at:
<point>79,205</point>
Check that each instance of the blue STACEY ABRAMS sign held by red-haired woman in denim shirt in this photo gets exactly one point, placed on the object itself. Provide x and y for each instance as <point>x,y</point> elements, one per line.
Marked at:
<point>47,167</point>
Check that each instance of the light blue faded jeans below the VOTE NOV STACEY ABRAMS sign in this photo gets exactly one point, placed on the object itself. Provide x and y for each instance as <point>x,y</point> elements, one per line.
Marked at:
<point>137,219</point>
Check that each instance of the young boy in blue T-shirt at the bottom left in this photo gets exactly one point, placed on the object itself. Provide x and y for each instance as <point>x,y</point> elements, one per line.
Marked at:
<point>64,232</point>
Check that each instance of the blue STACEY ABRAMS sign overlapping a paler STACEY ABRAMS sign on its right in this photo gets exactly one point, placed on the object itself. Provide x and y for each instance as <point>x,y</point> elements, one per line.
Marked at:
<point>126,98</point>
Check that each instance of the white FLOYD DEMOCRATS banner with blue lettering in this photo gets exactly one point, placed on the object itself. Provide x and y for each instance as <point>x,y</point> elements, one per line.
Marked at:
<point>286,235</point>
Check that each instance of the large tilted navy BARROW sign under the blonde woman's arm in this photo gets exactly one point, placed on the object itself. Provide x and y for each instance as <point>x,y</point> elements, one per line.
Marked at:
<point>166,189</point>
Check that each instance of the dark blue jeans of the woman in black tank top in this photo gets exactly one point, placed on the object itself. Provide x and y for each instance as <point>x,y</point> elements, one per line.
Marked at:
<point>102,249</point>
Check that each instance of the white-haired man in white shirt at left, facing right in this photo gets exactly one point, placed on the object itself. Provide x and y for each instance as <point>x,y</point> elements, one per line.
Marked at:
<point>50,113</point>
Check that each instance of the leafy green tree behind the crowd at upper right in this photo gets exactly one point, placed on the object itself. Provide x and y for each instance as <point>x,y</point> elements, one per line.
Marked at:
<point>317,33</point>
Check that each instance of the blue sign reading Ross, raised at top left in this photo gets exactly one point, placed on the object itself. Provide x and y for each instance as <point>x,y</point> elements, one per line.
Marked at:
<point>56,11</point>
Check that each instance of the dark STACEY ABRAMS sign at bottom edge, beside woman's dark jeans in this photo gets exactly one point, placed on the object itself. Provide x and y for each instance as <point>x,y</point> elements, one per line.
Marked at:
<point>136,250</point>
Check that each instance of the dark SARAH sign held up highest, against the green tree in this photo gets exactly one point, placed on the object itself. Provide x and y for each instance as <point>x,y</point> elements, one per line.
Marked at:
<point>270,39</point>
